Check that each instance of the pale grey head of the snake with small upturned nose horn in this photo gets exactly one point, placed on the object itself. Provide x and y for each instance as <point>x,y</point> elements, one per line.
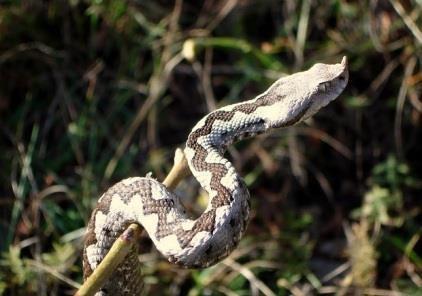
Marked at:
<point>296,97</point>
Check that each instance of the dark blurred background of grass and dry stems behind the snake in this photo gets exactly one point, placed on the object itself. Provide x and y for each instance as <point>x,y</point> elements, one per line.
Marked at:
<point>94,91</point>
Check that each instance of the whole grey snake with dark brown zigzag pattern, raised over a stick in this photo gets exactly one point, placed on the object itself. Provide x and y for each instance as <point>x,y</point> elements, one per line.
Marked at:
<point>203,241</point>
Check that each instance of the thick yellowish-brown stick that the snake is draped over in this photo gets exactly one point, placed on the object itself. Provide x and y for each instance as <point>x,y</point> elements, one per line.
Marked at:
<point>124,243</point>
